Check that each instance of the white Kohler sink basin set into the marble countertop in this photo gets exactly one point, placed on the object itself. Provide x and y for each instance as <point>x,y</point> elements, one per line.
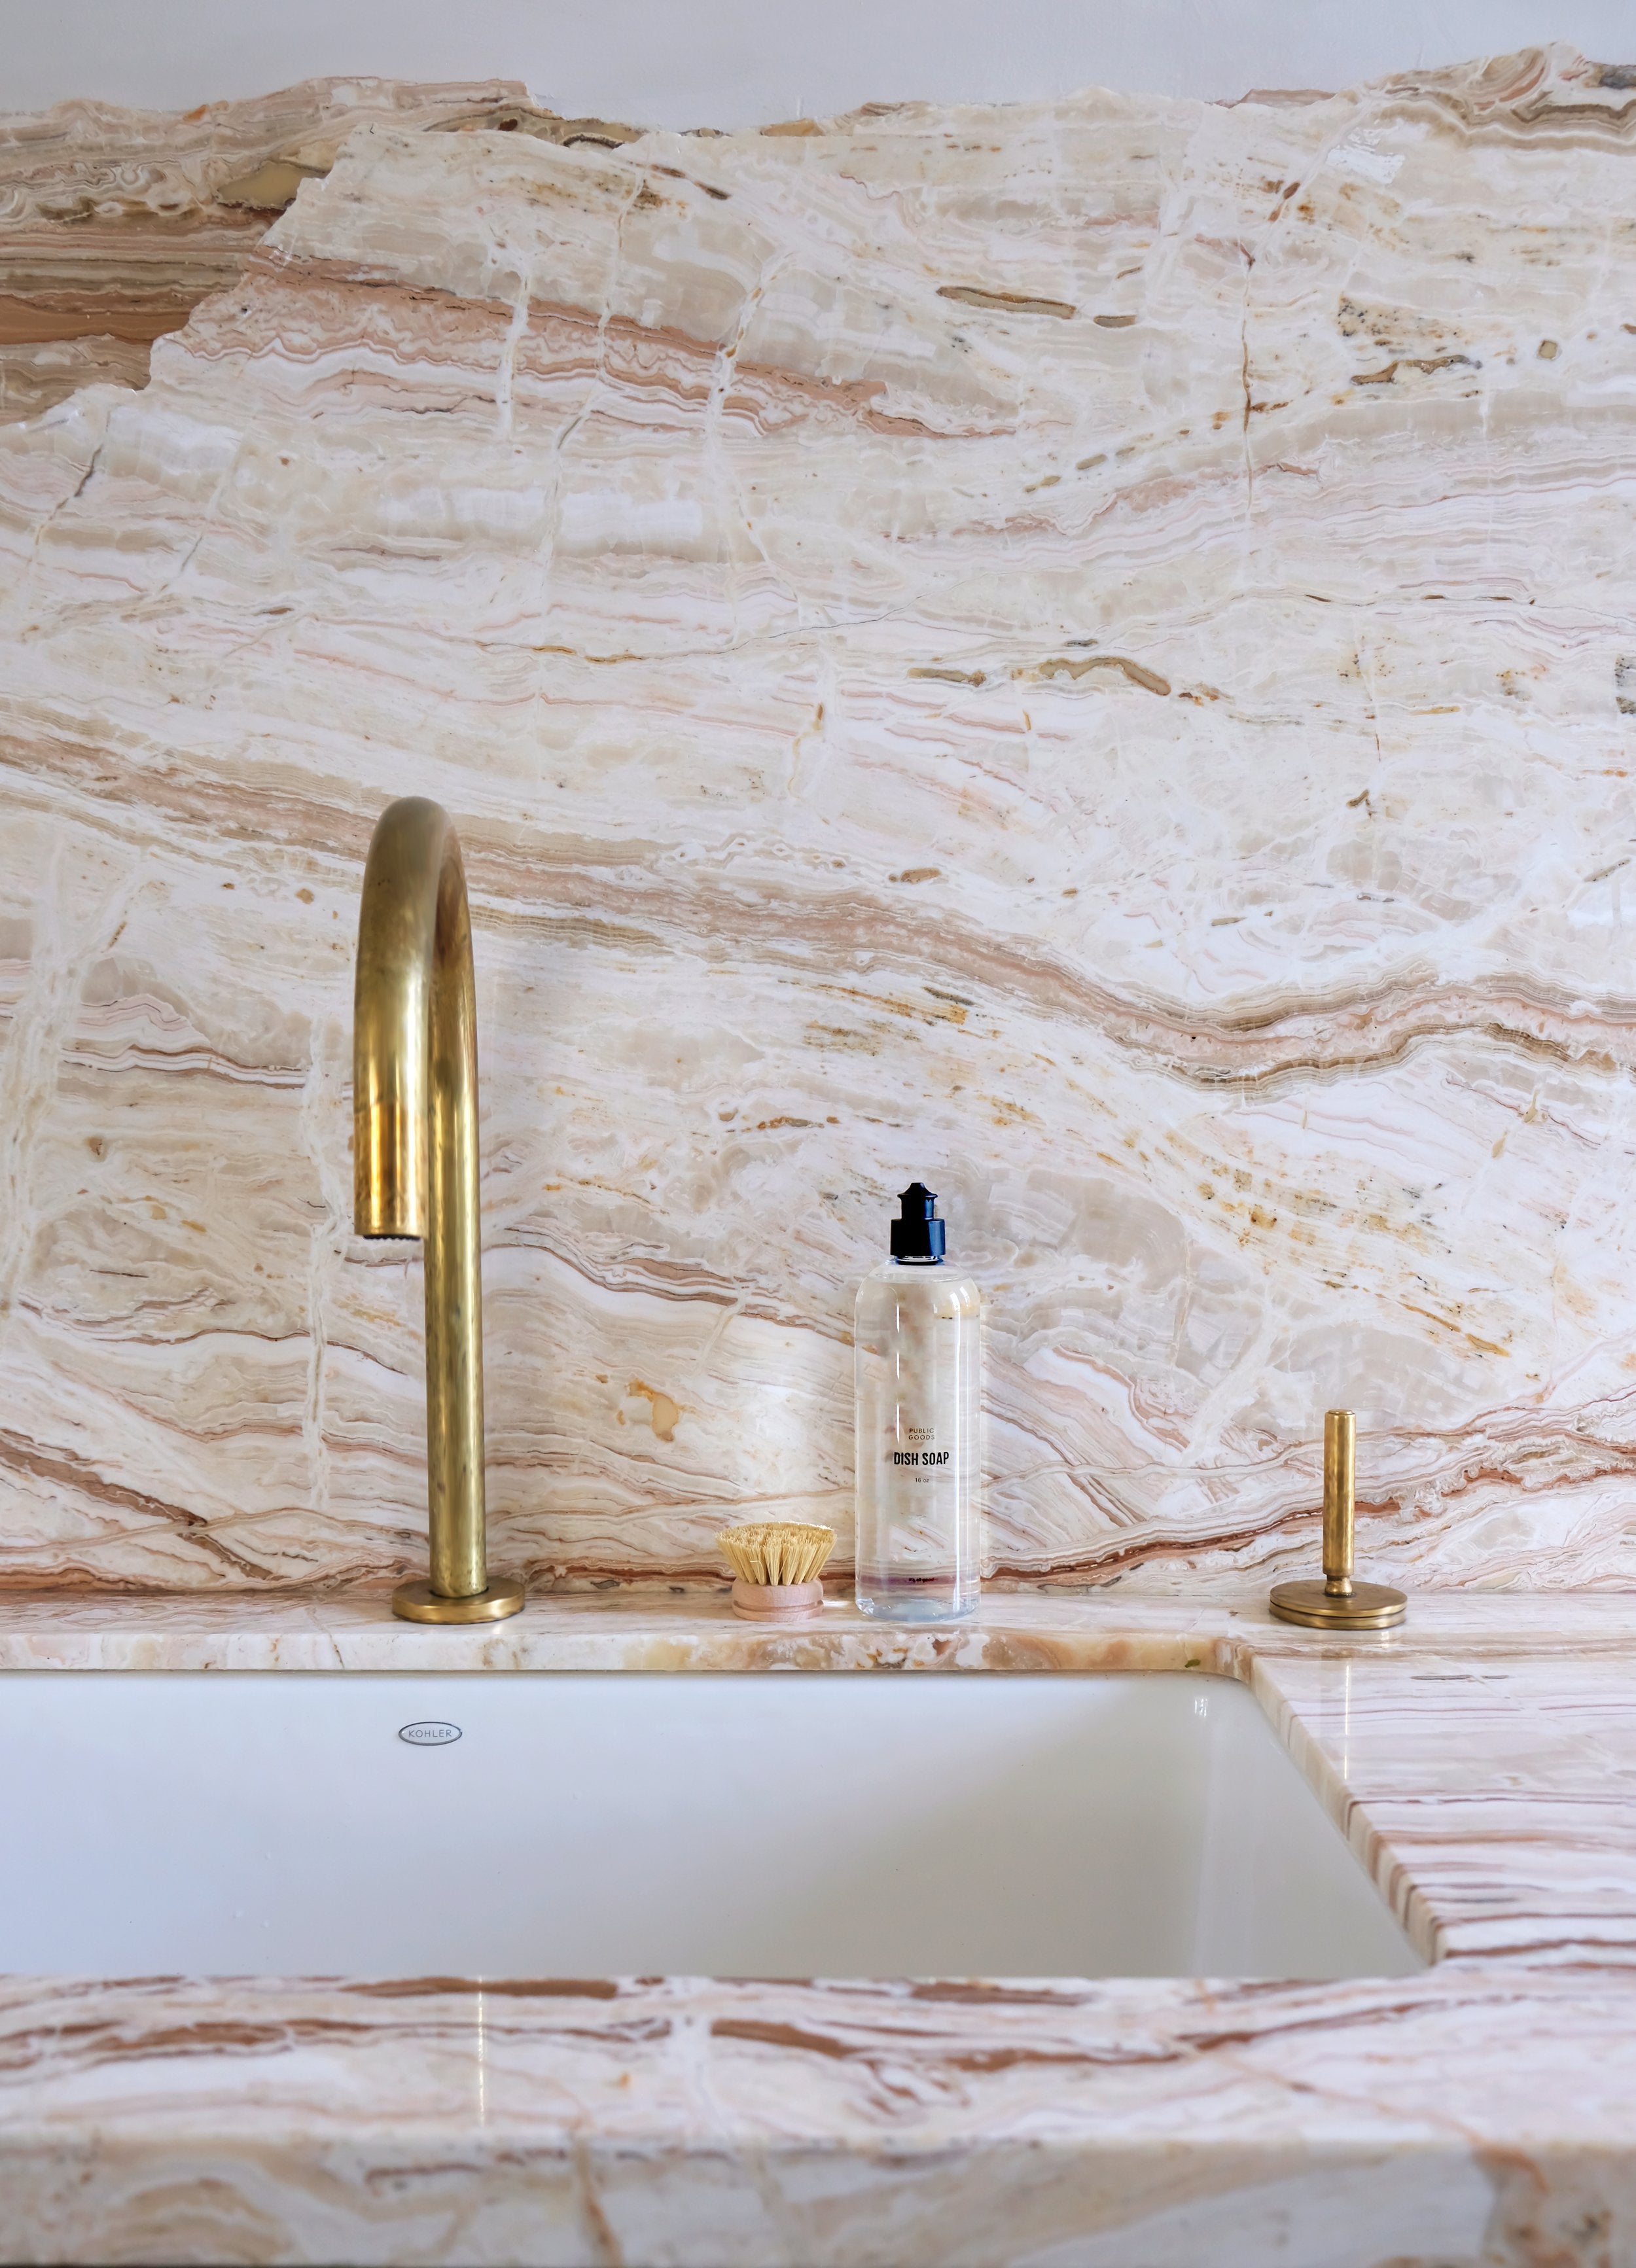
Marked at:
<point>612,1825</point>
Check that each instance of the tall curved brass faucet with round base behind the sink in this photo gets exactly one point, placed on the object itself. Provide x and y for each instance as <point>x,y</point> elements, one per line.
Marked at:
<point>414,1169</point>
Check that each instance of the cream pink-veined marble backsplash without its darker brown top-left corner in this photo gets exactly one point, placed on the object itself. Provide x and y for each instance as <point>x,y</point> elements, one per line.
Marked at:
<point>1083,654</point>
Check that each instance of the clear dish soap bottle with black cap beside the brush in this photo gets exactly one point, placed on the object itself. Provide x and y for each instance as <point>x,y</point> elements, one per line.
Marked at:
<point>918,1380</point>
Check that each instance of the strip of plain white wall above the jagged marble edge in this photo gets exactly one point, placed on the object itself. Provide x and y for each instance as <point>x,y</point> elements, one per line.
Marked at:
<point>743,62</point>
